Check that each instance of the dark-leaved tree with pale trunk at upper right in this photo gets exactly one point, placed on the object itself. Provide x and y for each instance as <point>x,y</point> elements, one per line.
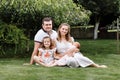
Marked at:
<point>99,9</point>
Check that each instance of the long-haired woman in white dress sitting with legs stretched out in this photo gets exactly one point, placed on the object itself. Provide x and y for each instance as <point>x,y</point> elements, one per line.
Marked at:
<point>67,53</point>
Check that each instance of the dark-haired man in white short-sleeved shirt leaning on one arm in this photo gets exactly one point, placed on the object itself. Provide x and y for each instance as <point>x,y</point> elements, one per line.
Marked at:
<point>46,30</point>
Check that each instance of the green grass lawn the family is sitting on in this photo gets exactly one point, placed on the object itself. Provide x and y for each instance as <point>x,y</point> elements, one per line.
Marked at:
<point>100,51</point>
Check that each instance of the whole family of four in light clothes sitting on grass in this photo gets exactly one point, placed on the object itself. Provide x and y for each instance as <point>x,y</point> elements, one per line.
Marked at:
<point>58,48</point>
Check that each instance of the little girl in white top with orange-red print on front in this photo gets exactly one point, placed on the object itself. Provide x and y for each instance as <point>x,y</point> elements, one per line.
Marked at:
<point>46,52</point>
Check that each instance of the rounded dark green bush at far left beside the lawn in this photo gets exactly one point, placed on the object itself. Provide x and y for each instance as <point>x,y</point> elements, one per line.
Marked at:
<point>12,40</point>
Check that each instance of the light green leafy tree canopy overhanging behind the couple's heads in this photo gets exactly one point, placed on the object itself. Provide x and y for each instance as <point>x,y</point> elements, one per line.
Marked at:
<point>28,13</point>
